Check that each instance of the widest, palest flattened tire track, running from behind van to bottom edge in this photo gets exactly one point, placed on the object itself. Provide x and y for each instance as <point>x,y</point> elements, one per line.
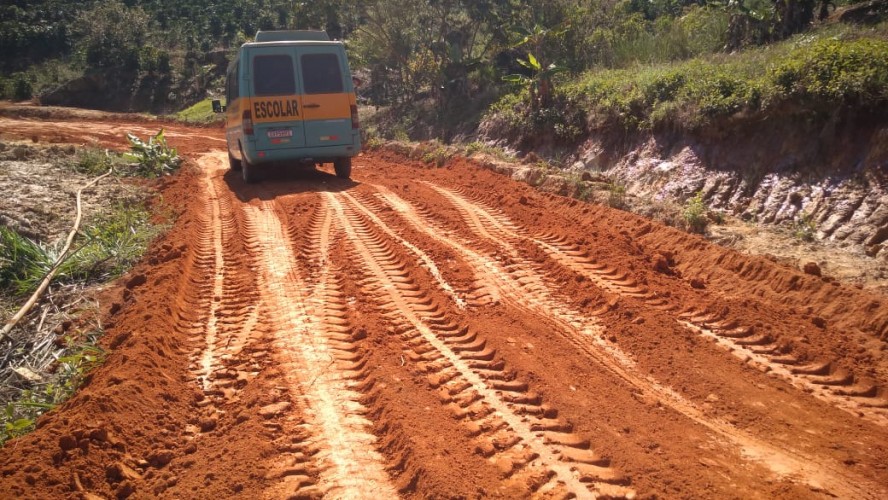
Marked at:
<point>323,367</point>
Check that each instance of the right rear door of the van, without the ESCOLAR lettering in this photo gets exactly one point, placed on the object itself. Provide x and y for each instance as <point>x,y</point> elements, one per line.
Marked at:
<point>327,96</point>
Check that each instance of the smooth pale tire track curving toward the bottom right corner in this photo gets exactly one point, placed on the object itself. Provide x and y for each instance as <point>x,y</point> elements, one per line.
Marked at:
<point>519,284</point>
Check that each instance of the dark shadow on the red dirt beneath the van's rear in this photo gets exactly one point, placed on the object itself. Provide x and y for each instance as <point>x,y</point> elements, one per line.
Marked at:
<point>277,181</point>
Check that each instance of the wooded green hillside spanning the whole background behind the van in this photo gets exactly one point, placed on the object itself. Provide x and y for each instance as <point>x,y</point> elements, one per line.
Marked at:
<point>546,64</point>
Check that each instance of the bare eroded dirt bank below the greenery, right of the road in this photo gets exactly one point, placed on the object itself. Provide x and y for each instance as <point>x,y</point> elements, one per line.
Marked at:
<point>826,176</point>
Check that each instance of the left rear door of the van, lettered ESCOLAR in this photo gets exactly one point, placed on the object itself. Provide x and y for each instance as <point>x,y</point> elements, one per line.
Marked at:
<point>275,104</point>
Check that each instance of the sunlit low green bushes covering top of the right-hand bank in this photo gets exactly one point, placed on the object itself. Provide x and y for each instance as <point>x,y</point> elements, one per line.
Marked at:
<point>828,69</point>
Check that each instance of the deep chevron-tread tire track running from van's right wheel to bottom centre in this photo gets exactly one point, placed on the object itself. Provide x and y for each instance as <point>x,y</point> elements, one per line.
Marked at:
<point>512,426</point>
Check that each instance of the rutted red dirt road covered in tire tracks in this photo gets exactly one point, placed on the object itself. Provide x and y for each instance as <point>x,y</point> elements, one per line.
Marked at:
<point>447,332</point>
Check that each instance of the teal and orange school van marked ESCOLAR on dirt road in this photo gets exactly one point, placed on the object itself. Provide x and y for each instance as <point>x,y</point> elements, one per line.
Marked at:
<point>290,99</point>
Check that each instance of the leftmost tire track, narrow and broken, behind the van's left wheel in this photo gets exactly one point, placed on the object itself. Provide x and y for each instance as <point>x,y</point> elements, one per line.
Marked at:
<point>233,338</point>
